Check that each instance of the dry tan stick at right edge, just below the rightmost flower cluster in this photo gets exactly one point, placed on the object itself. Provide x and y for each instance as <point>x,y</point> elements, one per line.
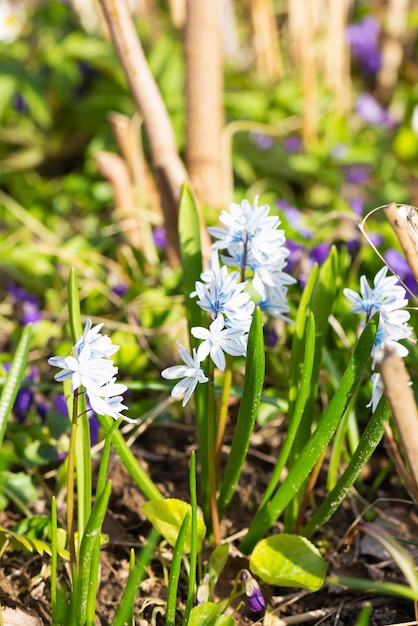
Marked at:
<point>400,396</point>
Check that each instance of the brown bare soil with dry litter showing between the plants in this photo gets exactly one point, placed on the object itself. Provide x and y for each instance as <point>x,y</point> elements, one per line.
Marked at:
<point>165,451</point>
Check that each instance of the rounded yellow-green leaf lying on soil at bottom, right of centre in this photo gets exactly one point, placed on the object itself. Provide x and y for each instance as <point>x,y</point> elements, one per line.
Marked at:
<point>288,561</point>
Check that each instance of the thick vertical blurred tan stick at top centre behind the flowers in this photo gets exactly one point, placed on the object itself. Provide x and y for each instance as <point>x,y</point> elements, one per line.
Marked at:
<point>204,100</point>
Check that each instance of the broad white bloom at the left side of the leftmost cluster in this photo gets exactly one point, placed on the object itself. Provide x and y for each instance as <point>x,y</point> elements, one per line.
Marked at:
<point>83,369</point>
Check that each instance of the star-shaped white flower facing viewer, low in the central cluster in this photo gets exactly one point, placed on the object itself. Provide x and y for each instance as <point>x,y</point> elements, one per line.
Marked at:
<point>217,340</point>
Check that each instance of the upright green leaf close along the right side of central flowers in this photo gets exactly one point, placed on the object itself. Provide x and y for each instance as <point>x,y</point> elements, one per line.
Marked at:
<point>253,385</point>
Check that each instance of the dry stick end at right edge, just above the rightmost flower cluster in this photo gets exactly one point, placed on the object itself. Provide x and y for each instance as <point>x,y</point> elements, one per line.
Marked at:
<point>404,221</point>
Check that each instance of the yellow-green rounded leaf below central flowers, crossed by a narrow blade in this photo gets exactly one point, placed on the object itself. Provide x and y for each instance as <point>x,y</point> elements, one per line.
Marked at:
<point>167,517</point>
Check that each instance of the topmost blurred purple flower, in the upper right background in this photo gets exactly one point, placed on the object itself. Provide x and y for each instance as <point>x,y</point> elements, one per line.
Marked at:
<point>363,39</point>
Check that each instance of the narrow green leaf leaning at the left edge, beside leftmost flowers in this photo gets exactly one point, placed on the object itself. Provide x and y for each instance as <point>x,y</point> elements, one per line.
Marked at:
<point>14,379</point>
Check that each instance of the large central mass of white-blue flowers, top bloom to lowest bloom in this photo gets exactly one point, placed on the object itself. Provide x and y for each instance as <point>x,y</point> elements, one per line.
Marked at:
<point>254,245</point>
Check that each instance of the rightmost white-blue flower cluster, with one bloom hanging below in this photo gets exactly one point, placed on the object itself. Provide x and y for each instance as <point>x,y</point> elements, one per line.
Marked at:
<point>388,299</point>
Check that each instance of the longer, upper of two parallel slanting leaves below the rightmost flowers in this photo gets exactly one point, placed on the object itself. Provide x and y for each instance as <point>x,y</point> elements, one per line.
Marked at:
<point>317,442</point>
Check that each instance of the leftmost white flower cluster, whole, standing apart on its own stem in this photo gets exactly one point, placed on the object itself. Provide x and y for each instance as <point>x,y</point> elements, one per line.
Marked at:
<point>91,367</point>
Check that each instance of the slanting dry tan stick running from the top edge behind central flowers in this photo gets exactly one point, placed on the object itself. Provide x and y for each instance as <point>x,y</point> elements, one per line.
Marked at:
<point>169,169</point>
